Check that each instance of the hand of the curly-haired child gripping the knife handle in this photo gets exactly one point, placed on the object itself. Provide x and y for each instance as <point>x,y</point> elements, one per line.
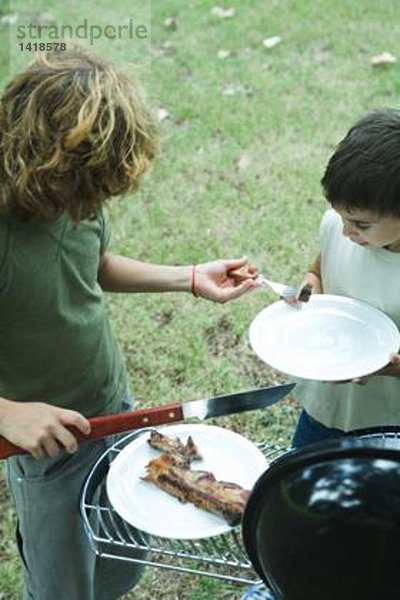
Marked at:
<point>40,429</point>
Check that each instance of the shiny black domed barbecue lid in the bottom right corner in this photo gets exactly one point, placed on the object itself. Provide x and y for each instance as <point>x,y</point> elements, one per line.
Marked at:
<point>323,522</point>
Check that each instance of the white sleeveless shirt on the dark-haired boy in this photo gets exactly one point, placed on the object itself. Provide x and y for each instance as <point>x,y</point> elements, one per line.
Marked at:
<point>373,275</point>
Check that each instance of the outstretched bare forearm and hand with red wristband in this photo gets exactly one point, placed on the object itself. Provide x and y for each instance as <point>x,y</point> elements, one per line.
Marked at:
<point>209,280</point>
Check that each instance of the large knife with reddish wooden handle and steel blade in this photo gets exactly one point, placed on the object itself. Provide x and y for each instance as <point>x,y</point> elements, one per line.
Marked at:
<point>149,417</point>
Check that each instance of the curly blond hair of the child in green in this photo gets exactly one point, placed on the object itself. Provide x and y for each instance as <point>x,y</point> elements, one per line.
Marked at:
<point>74,131</point>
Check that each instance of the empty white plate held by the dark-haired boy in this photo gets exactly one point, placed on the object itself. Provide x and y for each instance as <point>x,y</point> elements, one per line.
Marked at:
<point>329,338</point>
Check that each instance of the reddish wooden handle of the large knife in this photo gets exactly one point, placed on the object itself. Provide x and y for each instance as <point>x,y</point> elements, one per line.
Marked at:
<point>111,424</point>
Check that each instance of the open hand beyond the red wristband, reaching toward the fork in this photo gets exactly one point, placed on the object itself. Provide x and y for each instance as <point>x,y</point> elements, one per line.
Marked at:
<point>217,280</point>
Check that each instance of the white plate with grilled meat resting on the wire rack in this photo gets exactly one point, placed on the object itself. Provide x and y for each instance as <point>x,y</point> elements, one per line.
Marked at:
<point>184,481</point>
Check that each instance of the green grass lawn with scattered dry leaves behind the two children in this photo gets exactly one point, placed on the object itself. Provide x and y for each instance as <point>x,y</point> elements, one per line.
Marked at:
<point>246,133</point>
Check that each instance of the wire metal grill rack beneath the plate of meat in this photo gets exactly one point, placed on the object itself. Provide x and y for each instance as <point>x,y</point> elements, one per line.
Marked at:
<point>222,556</point>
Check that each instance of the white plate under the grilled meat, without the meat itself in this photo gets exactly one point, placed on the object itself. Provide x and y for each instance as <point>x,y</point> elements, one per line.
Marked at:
<point>228,455</point>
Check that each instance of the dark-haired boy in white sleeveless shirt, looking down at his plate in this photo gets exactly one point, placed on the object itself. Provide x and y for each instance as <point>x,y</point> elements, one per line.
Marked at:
<point>359,258</point>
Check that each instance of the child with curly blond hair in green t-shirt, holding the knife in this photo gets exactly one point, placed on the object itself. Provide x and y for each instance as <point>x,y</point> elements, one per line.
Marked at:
<point>74,132</point>
